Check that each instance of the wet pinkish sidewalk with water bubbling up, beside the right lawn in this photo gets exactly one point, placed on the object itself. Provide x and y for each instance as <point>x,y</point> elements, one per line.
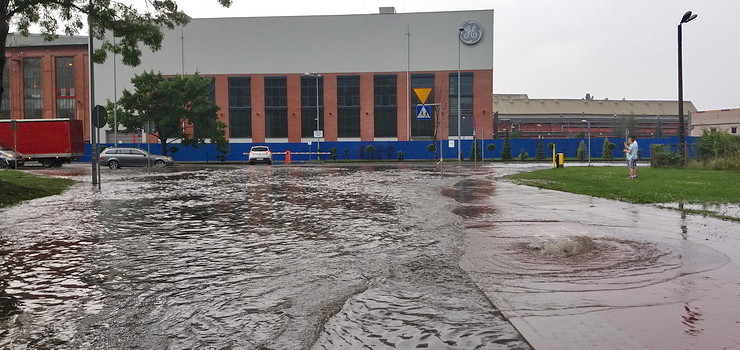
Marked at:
<point>655,279</point>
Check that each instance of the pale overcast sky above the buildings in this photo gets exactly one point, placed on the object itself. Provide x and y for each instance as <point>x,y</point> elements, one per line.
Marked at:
<point>565,48</point>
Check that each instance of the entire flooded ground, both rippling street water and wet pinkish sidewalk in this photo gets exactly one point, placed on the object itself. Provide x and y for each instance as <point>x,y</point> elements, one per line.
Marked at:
<point>331,257</point>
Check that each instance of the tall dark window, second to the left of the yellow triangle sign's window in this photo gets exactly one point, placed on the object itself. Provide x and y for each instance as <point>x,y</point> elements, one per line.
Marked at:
<point>348,106</point>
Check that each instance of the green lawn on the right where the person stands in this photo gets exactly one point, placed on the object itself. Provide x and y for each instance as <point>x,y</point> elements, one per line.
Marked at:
<point>651,186</point>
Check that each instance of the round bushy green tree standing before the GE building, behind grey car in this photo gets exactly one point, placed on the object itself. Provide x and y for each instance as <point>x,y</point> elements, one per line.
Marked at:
<point>169,103</point>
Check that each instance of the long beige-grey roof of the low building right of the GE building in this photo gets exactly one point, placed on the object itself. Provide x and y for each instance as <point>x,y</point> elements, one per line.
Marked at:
<point>520,104</point>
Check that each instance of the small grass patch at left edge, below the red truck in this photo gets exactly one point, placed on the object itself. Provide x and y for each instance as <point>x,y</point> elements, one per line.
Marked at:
<point>17,186</point>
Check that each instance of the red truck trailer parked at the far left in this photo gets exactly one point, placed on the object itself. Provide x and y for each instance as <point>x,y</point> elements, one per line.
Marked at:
<point>51,142</point>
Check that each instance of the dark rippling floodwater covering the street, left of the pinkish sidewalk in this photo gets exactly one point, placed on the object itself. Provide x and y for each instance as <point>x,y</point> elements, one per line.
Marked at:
<point>249,258</point>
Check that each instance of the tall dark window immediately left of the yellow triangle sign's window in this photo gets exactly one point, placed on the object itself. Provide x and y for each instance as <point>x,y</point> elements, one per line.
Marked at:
<point>386,123</point>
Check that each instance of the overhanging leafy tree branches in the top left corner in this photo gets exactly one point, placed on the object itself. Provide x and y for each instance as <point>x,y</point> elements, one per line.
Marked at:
<point>129,25</point>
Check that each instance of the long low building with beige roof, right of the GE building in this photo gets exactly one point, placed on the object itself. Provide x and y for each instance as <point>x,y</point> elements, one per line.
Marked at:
<point>560,118</point>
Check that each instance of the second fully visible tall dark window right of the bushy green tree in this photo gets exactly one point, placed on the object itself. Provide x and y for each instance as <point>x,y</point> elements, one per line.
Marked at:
<point>276,107</point>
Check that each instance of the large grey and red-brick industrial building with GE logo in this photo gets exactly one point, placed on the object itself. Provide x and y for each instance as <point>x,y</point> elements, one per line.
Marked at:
<point>267,73</point>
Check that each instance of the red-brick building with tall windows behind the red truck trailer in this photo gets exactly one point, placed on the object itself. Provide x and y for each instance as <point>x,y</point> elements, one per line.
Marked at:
<point>45,79</point>
